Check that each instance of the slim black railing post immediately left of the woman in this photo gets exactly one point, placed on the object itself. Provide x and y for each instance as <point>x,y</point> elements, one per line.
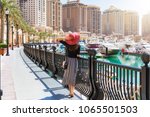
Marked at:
<point>53,62</point>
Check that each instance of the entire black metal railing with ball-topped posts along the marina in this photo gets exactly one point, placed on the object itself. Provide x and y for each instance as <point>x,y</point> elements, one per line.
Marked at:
<point>97,79</point>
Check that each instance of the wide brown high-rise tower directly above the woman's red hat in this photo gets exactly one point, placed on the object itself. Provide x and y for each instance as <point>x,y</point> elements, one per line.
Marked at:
<point>74,16</point>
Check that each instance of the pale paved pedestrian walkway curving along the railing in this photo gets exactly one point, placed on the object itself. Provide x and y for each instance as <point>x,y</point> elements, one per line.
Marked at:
<point>22,79</point>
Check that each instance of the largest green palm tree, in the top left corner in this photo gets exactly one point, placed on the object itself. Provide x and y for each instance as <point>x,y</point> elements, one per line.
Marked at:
<point>14,16</point>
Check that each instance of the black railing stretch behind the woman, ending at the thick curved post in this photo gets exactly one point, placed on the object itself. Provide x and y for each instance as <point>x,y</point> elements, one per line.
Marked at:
<point>49,60</point>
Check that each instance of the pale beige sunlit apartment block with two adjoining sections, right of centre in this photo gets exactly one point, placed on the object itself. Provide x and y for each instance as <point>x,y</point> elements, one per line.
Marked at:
<point>116,21</point>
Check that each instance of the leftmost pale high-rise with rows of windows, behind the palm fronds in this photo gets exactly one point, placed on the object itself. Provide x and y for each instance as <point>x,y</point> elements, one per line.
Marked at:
<point>33,11</point>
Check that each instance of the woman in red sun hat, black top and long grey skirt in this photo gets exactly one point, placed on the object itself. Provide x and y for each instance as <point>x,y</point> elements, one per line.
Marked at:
<point>72,51</point>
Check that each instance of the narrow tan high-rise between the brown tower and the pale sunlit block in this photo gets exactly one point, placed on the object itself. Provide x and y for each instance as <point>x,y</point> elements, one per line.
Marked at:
<point>94,19</point>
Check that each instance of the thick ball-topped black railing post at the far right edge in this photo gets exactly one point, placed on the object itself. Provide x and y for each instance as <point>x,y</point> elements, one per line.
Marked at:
<point>145,77</point>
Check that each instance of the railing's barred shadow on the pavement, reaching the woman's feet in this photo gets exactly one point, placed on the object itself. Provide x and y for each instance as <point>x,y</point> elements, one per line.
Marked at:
<point>55,88</point>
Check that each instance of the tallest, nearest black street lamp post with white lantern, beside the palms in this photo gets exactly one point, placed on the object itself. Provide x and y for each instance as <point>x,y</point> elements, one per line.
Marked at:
<point>7,13</point>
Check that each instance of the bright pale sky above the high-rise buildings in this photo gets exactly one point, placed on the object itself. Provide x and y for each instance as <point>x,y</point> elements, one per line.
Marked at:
<point>141,6</point>
